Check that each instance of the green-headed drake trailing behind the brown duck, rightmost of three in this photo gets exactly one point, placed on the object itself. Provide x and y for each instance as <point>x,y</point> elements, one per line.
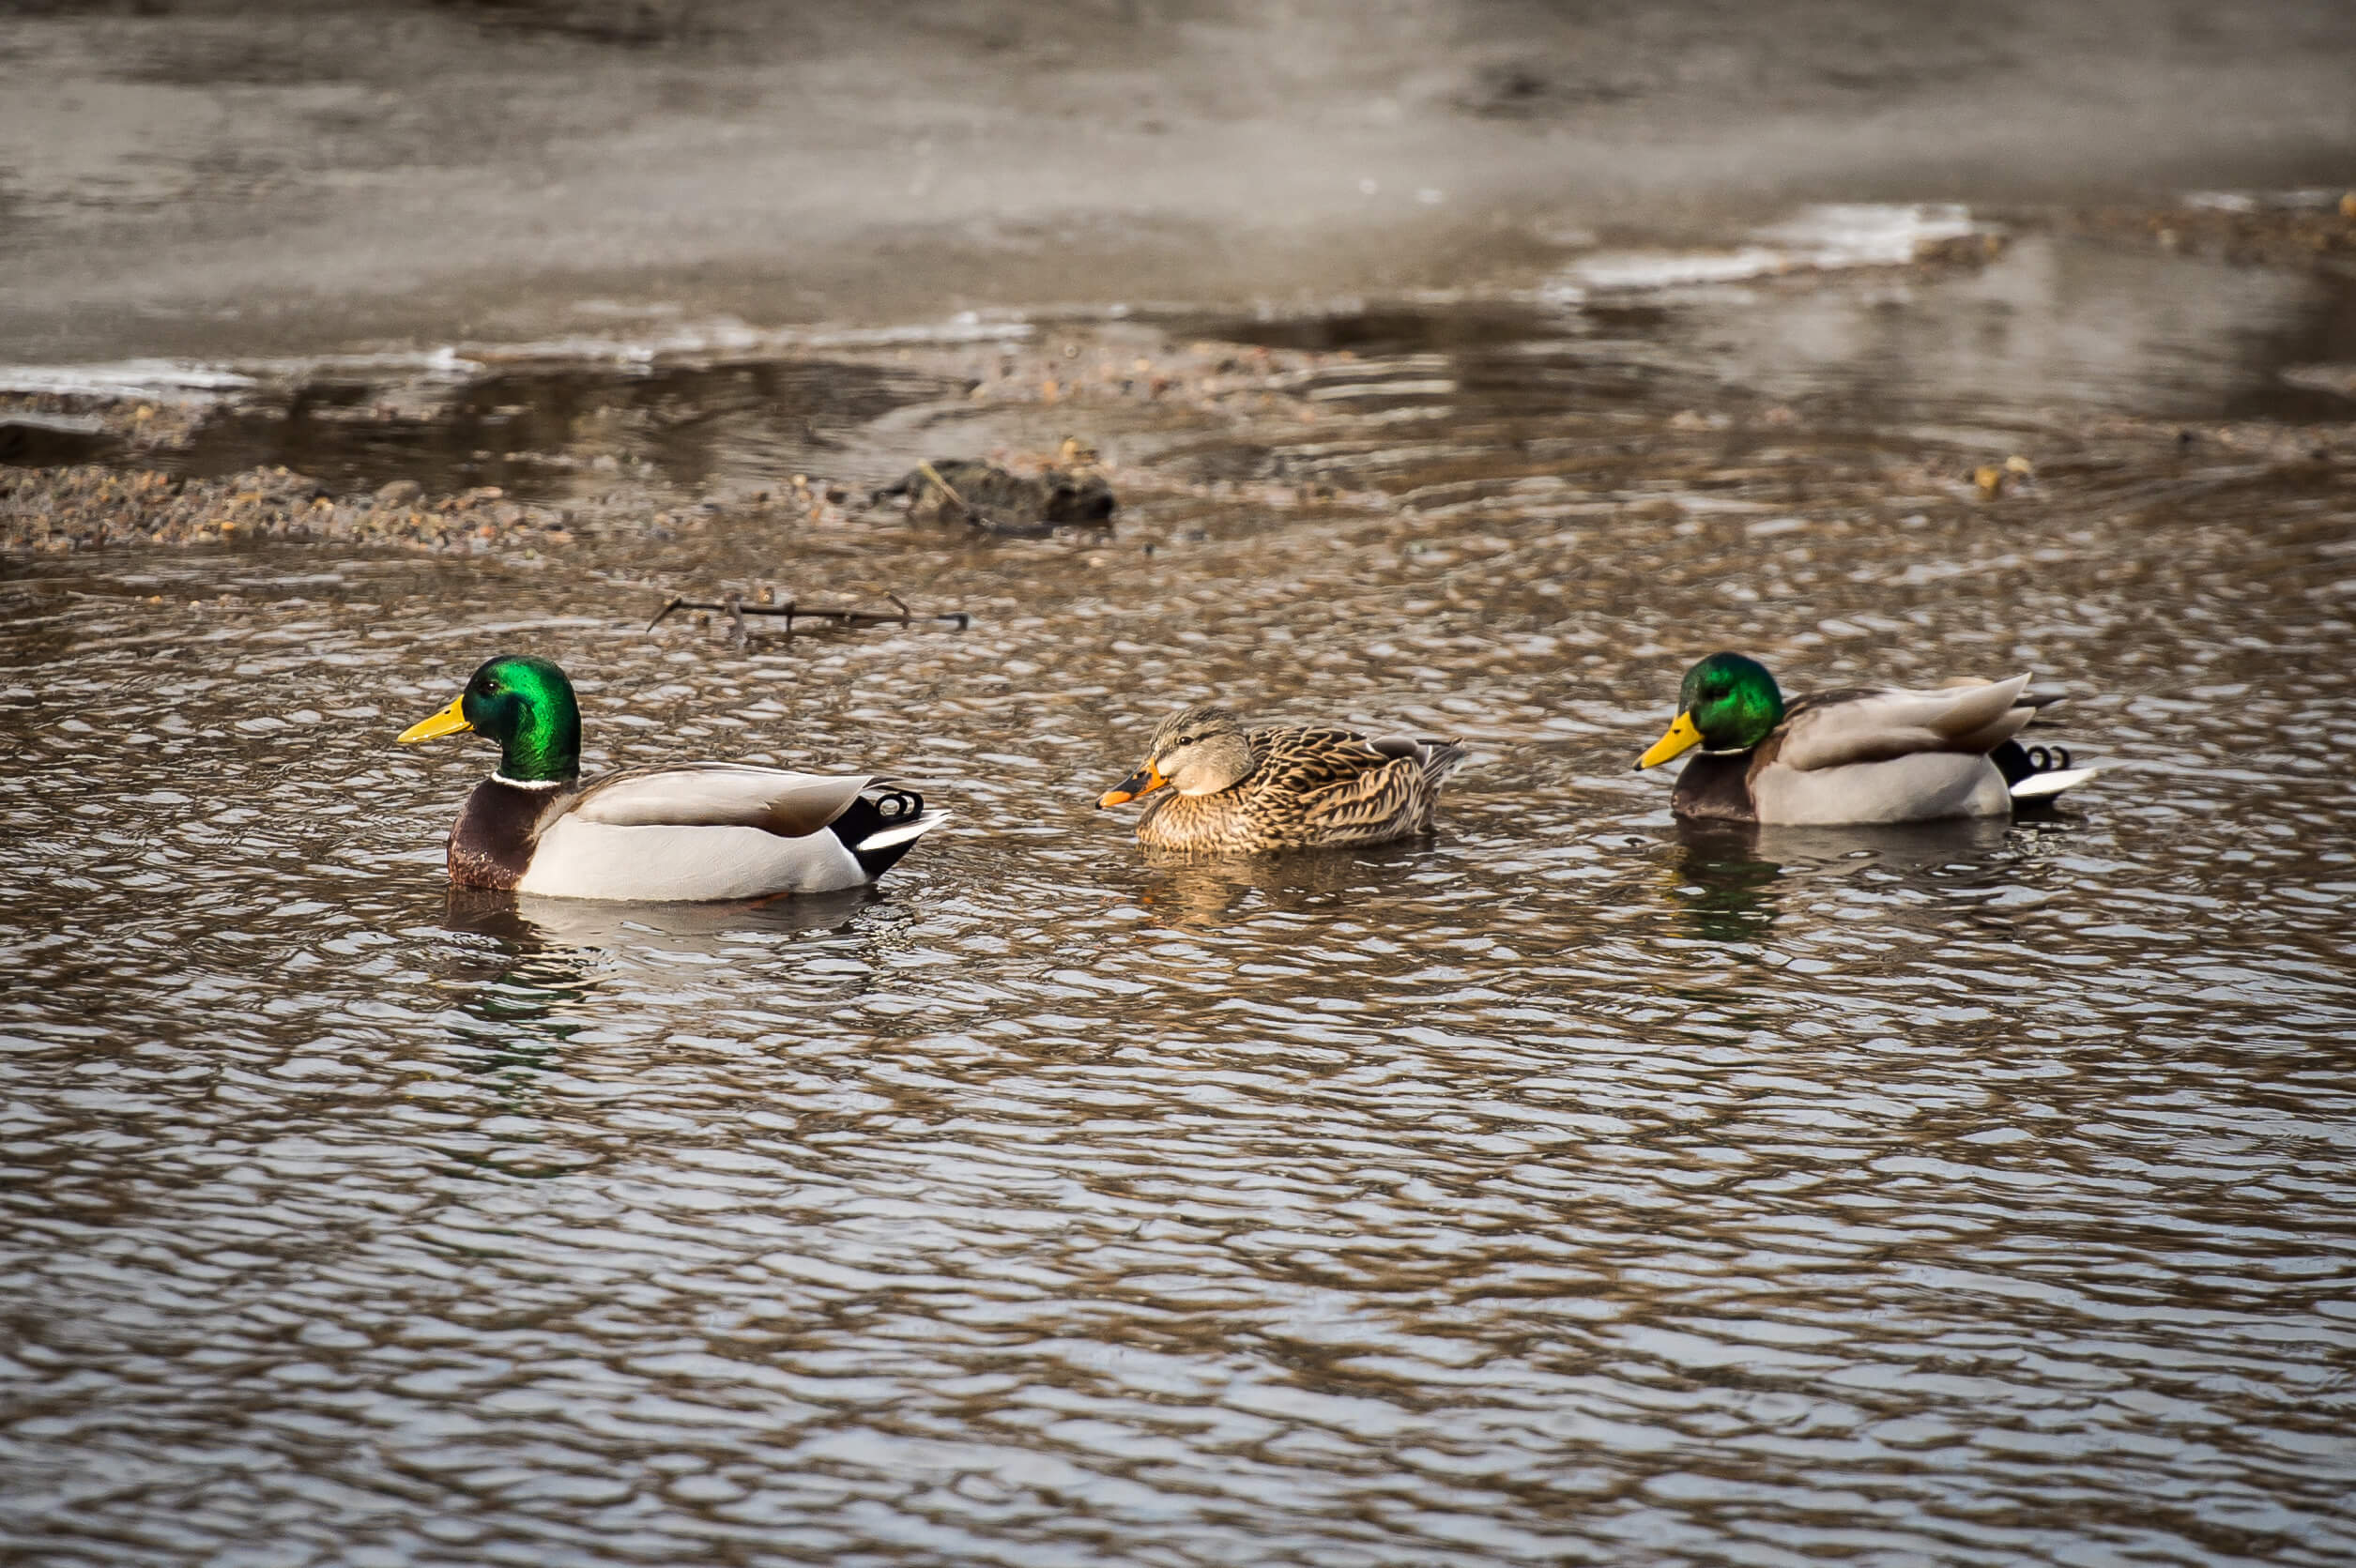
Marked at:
<point>1865,755</point>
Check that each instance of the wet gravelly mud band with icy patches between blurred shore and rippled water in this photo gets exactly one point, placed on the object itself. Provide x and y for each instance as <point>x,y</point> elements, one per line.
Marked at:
<point>2115,338</point>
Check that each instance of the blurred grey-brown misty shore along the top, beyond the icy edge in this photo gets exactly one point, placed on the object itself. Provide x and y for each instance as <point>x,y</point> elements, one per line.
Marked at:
<point>209,178</point>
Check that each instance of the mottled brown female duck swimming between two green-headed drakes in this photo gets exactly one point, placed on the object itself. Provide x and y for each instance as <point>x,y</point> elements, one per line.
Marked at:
<point>1238,792</point>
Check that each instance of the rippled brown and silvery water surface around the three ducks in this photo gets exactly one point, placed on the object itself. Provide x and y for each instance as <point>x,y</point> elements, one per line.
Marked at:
<point>1570,1188</point>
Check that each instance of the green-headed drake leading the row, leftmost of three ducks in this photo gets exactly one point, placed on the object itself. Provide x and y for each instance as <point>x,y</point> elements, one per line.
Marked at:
<point>656,835</point>
